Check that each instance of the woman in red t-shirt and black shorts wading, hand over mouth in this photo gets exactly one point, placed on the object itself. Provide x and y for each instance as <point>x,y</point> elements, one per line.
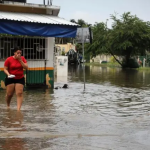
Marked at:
<point>13,68</point>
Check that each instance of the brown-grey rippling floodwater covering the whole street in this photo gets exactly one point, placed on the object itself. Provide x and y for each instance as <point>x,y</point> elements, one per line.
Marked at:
<point>113,113</point>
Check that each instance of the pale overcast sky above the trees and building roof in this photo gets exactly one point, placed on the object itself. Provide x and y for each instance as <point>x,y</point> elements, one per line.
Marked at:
<point>99,10</point>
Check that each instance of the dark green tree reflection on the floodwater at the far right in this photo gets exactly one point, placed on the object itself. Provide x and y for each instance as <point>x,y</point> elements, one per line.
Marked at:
<point>114,76</point>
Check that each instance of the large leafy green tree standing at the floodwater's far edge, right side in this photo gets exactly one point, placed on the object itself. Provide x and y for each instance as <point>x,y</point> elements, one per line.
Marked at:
<point>129,37</point>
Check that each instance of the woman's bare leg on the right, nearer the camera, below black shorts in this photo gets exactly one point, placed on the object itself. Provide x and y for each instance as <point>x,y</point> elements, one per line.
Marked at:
<point>19,94</point>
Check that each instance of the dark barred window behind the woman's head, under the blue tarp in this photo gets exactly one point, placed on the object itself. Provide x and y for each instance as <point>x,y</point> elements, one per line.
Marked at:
<point>34,48</point>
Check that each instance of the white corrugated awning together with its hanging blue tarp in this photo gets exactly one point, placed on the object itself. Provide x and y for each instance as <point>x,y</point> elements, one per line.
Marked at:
<point>36,25</point>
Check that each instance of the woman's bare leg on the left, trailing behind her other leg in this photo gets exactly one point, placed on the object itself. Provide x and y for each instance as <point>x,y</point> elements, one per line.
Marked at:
<point>9,93</point>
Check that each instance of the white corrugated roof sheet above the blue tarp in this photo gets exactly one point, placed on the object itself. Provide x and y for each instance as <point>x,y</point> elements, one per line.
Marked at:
<point>35,18</point>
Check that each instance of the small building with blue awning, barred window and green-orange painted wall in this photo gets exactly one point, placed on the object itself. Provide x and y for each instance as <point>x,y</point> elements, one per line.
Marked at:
<point>33,27</point>
